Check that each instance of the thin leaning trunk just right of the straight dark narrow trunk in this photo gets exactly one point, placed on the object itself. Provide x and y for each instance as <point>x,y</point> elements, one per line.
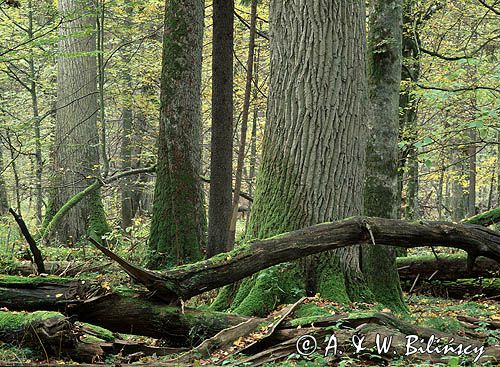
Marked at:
<point>244,125</point>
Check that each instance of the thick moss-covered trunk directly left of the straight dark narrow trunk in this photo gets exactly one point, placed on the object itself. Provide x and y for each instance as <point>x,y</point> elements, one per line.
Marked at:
<point>177,226</point>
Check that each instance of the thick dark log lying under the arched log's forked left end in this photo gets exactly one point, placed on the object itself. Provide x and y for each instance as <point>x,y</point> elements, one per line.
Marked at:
<point>126,312</point>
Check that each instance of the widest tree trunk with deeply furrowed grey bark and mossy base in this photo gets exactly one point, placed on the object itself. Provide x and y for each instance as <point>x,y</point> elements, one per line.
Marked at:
<point>314,148</point>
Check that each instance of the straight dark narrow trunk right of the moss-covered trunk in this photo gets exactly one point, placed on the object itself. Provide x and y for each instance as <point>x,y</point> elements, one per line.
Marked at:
<point>219,209</point>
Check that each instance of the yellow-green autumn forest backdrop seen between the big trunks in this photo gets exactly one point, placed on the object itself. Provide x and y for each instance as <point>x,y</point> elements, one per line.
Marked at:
<point>449,101</point>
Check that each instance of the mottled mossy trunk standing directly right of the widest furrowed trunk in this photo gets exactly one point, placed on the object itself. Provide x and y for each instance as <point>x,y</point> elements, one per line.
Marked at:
<point>381,197</point>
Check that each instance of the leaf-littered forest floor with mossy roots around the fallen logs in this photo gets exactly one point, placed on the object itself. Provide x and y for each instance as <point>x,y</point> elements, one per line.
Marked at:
<point>473,320</point>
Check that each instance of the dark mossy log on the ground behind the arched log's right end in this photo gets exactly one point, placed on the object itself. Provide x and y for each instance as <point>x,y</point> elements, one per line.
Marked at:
<point>447,267</point>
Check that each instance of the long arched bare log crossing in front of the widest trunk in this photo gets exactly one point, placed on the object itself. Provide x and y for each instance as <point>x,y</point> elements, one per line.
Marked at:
<point>184,282</point>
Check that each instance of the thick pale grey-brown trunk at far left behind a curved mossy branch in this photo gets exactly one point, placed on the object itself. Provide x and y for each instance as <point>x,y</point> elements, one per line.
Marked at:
<point>75,151</point>
